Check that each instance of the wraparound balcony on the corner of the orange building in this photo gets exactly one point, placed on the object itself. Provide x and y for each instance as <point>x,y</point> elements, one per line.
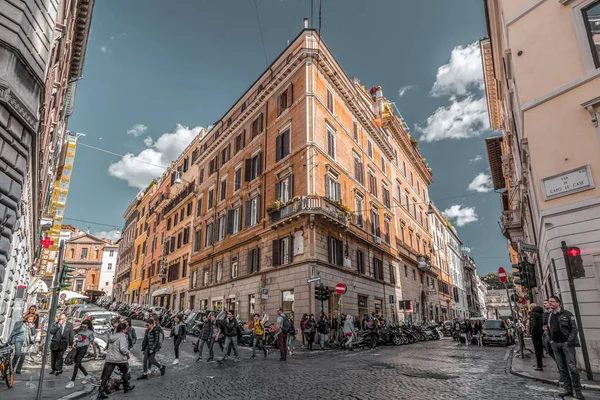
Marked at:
<point>321,207</point>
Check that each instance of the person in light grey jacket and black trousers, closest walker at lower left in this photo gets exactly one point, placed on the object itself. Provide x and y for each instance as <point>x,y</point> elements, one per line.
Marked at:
<point>117,356</point>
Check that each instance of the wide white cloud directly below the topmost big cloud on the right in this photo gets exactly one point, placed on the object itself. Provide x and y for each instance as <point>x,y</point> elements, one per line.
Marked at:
<point>462,119</point>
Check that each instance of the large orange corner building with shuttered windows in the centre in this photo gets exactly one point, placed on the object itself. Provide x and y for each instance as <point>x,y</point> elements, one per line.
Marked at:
<point>308,175</point>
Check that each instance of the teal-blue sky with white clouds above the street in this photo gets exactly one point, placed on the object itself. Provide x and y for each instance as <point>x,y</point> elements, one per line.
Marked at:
<point>156,72</point>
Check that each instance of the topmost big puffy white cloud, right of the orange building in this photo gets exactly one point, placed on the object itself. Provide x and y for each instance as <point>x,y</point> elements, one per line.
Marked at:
<point>462,73</point>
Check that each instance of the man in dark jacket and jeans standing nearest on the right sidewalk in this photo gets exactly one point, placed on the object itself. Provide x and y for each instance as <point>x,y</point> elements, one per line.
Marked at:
<point>563,334</point>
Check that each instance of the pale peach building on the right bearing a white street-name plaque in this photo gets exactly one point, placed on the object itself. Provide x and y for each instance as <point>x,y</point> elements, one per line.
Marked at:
<point>542,77</point>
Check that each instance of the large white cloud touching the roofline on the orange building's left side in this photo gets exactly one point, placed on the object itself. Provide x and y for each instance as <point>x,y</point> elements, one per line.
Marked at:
<point>138,170</point>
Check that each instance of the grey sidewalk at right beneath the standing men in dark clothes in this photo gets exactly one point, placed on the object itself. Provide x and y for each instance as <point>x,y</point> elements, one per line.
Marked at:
<point>524,369</point>
